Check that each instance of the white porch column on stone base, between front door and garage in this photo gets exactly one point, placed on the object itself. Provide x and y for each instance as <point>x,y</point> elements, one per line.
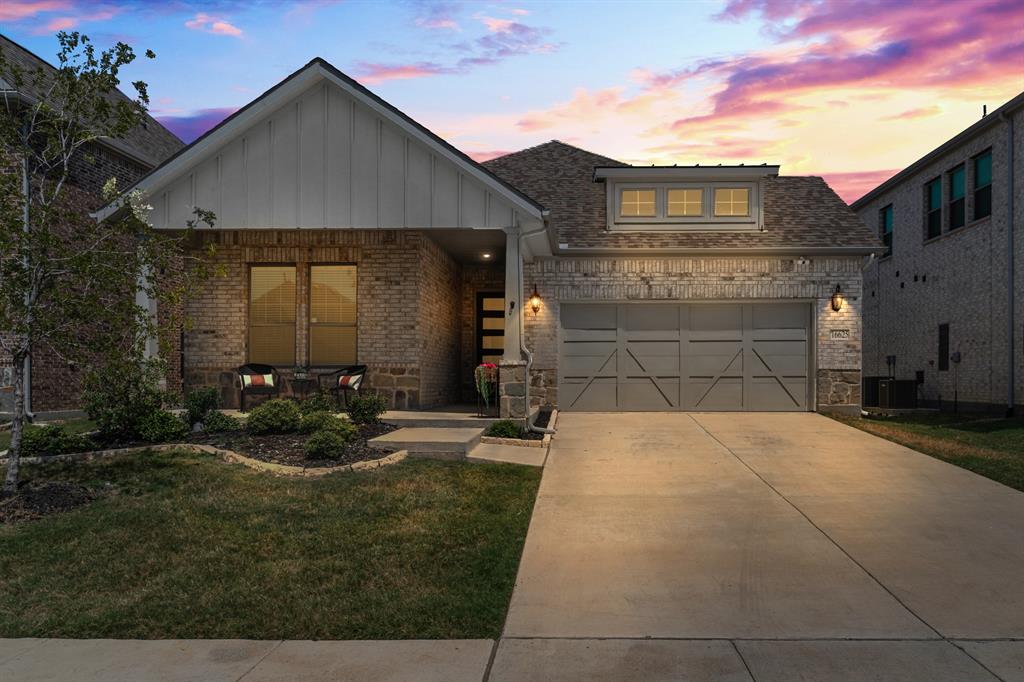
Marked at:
<point>513,371</point>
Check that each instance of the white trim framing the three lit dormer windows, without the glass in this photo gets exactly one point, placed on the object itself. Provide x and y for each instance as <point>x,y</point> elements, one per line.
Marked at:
<point>664,223</point>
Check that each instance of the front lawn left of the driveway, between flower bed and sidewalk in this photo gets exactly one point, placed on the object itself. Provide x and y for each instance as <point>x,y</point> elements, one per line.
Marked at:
<point>186,546</point>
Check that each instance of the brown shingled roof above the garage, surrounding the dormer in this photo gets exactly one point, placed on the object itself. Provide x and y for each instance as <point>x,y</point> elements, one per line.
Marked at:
<point>800,212</point>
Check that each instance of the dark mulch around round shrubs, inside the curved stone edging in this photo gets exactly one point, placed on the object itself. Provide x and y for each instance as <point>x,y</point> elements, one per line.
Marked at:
<point>289,449</point>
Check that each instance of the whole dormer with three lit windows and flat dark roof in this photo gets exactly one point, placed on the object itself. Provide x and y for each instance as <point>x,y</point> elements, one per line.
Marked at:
<point>692,199</point>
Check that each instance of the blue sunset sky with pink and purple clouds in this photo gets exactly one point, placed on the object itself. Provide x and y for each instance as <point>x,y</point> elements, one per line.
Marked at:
<point>852,91</point>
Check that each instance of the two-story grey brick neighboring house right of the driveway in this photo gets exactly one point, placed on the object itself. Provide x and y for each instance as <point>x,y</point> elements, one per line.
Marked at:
<point>946,304</point>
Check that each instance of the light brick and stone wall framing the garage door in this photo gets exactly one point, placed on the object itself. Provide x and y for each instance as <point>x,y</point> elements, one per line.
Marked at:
<point>684,279</point>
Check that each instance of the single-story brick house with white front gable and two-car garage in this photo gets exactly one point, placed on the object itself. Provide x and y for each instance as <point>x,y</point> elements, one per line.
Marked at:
<point>352,234</point>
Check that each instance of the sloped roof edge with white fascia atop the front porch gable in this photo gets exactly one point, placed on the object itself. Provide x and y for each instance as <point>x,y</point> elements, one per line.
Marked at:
<point>292,87</point>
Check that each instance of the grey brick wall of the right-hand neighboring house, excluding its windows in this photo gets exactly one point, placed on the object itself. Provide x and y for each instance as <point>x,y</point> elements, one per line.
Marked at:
<point>958,279</point>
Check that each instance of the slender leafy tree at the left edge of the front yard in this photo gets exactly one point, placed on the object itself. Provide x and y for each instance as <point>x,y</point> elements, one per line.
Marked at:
<point>68,281</point>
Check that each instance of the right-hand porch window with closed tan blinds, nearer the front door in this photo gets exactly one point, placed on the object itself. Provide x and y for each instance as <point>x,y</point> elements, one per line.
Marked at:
<point>332,315</point>
